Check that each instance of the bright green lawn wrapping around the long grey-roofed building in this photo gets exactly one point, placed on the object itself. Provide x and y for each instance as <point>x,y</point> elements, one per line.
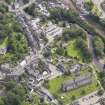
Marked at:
<point>65,98</point>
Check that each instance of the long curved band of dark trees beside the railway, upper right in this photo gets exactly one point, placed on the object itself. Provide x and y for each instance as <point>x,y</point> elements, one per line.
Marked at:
<point>59,14</point>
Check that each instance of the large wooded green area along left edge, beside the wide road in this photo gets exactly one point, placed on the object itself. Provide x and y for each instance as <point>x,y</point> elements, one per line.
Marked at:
<point>16,43</point>
